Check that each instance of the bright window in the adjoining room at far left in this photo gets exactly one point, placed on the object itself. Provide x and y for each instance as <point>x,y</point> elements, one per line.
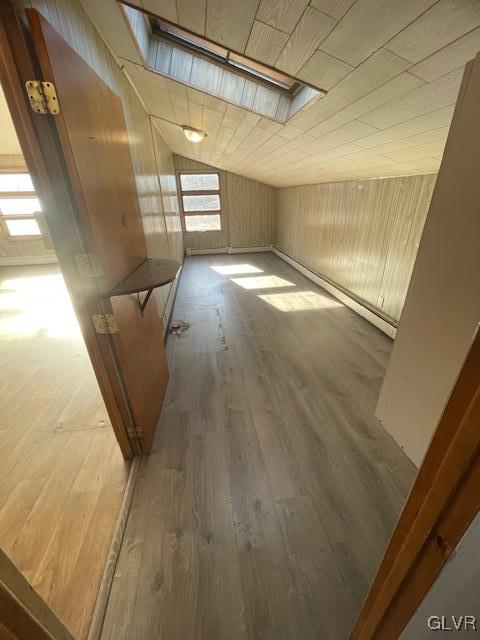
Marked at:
<point>19,206</point>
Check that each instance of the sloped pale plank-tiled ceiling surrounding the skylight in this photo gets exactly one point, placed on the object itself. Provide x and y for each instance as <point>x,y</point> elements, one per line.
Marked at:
<point>392,69</point>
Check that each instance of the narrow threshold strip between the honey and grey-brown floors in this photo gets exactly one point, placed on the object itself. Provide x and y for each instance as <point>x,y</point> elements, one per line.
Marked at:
<point>103,596</point>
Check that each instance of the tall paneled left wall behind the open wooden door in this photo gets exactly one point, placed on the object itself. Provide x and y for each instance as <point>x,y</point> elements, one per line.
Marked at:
<point>152,161</point>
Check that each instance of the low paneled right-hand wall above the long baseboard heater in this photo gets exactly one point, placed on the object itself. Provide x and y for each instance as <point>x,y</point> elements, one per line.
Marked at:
<point>361,235</point>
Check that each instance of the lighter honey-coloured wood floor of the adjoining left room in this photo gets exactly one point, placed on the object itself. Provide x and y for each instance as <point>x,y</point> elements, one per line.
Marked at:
<point>62,475</point>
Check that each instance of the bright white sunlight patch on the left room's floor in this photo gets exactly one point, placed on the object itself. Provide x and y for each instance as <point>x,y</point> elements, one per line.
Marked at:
<point>37,304</point>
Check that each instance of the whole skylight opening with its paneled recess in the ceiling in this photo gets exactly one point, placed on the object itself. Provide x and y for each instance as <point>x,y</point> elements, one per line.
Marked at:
<point>173,52</point>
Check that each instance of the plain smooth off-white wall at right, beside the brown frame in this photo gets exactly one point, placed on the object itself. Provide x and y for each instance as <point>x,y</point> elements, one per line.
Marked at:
<point>442,308</point>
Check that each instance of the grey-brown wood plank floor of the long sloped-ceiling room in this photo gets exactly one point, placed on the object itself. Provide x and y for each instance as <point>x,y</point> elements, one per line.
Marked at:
<point>271,492</point>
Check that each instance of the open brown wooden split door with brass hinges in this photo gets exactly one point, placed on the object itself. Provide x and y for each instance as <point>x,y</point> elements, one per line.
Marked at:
<point>95,144</point>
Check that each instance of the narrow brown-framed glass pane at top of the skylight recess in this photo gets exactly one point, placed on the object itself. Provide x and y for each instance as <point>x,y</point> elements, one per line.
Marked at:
<point>219,54</point>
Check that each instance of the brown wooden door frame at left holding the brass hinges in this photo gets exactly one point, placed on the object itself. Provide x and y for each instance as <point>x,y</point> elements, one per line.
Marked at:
<point>43,156</point>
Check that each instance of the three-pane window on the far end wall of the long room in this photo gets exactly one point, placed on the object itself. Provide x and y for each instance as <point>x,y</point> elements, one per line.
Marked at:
<point>201,203</point>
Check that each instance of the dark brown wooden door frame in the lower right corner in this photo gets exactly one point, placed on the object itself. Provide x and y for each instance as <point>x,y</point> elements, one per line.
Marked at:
<point>443,502</point>
